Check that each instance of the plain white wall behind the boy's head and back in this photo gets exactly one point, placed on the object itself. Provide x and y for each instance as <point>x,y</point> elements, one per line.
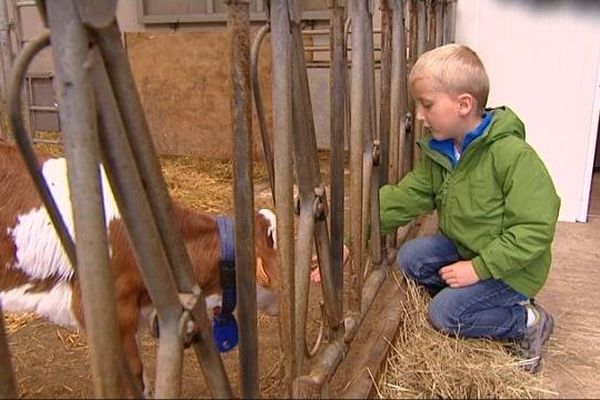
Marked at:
<point>543,59</point>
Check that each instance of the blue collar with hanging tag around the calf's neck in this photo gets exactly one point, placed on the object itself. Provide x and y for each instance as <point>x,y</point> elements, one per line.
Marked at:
<point>225,331</point>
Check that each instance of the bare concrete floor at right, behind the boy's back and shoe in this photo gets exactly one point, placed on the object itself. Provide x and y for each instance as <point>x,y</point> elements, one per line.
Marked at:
<point>572,295</point>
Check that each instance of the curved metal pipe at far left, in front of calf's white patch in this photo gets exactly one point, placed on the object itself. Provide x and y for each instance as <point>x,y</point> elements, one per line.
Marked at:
<point>23,141</point>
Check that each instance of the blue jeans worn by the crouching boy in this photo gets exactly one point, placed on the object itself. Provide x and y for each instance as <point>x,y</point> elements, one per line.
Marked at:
<point>489,308</point>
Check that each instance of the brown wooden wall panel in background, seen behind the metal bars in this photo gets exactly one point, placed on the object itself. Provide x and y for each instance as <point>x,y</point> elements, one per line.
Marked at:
<point>183,81</point>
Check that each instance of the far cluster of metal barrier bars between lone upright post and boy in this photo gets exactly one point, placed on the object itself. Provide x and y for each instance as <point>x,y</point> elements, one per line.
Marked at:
<point>378,153</point>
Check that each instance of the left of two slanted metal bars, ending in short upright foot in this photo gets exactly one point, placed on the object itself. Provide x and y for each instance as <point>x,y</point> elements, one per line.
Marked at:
<point>143,233</point>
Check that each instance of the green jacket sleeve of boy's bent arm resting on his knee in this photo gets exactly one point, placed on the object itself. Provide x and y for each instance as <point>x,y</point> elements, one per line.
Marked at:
<point>531,211</point>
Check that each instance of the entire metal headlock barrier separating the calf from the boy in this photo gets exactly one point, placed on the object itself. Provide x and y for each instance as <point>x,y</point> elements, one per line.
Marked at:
<point>103,123</point>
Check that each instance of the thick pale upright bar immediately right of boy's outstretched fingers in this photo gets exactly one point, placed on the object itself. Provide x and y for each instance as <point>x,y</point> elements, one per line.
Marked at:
<point>359,124</point>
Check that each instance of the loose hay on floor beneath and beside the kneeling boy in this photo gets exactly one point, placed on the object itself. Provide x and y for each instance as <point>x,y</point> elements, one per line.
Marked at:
<point>424,363</point>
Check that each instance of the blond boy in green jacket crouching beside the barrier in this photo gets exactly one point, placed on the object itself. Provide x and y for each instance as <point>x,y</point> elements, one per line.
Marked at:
<point>496,204</point>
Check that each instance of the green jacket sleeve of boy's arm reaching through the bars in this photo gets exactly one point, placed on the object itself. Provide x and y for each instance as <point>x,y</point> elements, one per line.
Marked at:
<point>412,196</point>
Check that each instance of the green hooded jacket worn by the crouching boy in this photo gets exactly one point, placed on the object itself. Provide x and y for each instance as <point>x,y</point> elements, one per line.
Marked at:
<point>498,205</point>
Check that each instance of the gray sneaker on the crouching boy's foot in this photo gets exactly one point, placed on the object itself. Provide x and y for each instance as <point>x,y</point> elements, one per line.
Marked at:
<point>530,346</point>
